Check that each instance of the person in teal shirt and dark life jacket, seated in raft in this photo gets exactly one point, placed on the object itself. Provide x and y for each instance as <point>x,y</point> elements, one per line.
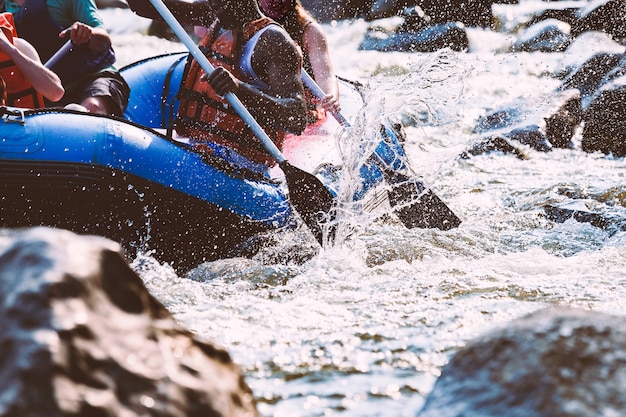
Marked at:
<point>91,81</point>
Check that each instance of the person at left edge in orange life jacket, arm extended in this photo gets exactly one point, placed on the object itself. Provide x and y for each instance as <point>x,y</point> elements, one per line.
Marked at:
<point>25,81</point>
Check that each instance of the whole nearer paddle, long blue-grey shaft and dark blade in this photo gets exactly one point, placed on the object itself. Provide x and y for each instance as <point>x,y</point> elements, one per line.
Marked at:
<point>313,202</point>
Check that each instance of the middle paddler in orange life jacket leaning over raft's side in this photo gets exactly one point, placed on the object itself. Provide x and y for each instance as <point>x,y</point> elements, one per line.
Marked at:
<point>255,59</point>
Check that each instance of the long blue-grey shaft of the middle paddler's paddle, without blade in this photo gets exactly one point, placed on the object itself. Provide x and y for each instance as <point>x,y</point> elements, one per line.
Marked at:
<point>208,68</point>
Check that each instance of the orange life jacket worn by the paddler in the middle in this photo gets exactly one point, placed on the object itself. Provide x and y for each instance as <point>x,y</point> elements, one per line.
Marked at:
<point>204,115</point>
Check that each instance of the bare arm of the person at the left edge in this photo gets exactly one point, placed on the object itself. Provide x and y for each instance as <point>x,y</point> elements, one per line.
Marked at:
<point>24,55</point>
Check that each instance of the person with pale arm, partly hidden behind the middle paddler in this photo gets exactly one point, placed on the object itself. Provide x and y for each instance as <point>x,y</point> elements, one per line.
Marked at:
<point>304,29</point>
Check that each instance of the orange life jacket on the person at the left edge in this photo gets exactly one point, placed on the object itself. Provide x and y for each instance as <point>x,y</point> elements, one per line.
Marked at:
<point>19,90</point>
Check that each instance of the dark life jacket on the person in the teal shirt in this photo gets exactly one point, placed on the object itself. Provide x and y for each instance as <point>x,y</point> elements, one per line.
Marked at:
<point>34,24</point>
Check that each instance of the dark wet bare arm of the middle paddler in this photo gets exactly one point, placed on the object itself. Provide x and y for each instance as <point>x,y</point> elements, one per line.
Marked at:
<point>277,60</point>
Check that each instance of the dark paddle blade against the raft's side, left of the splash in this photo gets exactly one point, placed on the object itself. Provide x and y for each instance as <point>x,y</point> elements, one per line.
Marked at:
<point>313,202</point>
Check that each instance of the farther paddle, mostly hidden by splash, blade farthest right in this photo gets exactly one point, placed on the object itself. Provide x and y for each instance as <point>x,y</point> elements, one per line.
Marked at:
<point>413,204</point>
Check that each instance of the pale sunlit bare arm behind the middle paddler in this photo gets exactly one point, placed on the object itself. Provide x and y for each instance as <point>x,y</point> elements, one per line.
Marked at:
<point>315,45</point>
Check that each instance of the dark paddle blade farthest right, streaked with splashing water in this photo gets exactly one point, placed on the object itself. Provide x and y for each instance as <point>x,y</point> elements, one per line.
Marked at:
<point>417,207</point>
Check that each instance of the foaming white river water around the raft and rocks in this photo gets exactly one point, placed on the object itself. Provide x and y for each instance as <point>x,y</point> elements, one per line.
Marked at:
<point>364,328</point>
